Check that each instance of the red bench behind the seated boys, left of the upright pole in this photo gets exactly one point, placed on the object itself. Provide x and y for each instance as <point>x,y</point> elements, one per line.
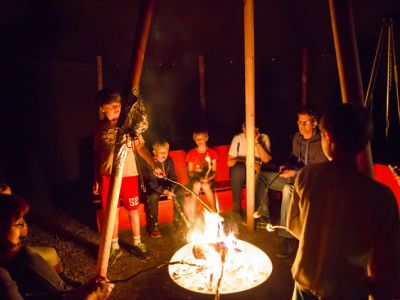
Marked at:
<point>223,192</point>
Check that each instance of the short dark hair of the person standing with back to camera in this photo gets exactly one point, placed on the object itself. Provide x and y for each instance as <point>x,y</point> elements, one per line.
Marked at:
<point>350,126</point>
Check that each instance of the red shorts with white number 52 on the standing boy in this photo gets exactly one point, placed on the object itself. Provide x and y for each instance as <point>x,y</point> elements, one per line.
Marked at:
<point>128,195</point>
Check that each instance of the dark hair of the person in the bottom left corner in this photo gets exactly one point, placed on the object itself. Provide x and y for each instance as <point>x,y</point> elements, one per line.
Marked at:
<point>11,207</point>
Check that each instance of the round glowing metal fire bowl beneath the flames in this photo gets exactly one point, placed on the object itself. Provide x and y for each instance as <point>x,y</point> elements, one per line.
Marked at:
<point>246,269</point>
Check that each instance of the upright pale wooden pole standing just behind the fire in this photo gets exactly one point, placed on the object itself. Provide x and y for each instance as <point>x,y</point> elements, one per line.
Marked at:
<point>249,98</point>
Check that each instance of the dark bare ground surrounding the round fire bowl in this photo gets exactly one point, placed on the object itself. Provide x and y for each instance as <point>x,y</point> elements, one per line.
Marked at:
<point>77,244</point>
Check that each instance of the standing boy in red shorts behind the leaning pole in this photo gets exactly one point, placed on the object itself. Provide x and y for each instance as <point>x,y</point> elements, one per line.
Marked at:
<point>104,140</point>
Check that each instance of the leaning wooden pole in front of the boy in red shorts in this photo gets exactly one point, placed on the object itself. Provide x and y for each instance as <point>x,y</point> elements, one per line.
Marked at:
<point>121,149</point>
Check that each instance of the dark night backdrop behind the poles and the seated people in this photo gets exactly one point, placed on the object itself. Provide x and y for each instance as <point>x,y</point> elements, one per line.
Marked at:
<point>48,75</point>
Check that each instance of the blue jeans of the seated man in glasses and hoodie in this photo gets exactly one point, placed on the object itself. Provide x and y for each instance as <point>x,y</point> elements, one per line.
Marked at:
<point>266,181</point>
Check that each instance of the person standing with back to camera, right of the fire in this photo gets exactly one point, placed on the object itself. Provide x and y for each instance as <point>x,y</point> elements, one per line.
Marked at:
<point>346,222</point>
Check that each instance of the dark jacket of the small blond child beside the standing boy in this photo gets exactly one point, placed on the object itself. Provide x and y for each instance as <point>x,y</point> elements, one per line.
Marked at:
<point>157,184</point>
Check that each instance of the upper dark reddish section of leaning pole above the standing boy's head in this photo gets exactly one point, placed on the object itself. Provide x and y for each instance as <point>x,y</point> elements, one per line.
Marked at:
<point>140,43</point>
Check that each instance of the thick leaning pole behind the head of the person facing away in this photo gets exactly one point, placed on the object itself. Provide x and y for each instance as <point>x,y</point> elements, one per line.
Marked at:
<point>348,65</point>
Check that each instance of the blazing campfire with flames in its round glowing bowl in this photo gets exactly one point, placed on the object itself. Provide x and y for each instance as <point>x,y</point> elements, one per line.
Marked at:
<point>218,263</point>
